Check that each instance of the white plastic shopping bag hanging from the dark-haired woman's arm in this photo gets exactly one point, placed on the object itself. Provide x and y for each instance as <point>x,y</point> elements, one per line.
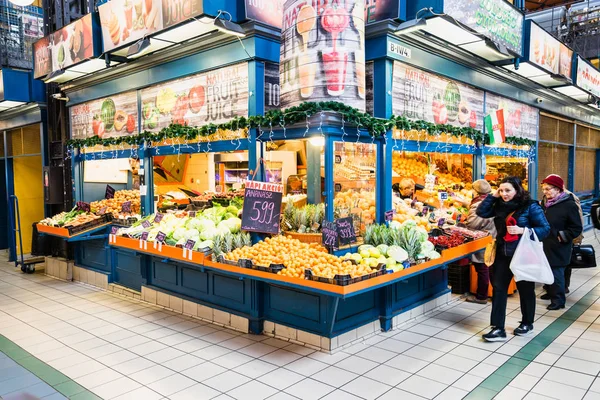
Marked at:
<point>529,262</point>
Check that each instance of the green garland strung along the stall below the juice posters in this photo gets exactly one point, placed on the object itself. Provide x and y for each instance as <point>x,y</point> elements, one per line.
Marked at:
<point>376,127</point>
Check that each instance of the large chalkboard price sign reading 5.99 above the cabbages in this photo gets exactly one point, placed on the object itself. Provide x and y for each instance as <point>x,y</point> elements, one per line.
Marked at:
<point>262,207</point>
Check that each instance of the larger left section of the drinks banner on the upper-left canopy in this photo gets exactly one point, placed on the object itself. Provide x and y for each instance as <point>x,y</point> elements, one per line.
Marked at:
<point>127,21</point>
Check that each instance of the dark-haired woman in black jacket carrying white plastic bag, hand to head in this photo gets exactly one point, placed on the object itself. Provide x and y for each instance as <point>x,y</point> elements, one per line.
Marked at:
<point>513,210</point>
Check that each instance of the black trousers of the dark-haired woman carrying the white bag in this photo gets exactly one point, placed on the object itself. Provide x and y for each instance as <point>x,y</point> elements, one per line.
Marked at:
<point>501,276</point>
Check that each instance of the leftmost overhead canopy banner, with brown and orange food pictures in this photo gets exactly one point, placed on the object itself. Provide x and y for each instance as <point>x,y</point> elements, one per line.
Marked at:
<point>67,46</point>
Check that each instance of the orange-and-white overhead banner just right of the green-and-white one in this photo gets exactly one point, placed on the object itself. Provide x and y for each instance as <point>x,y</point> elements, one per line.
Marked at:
<point>548,53</point>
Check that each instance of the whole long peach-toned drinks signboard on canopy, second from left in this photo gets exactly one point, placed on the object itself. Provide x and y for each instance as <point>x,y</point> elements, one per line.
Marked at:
<point>127,21</point>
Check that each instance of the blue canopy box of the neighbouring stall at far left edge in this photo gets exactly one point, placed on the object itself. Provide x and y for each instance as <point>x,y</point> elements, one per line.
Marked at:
<point>18,88</point>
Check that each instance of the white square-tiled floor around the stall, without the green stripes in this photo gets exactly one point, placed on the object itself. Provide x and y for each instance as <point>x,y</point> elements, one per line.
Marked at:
<point>125,349</point>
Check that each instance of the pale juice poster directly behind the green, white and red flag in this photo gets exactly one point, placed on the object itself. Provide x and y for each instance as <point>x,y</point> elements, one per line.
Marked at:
<point>520,120</point>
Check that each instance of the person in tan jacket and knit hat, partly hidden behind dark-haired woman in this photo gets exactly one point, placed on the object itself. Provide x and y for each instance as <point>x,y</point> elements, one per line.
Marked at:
<point>483,188</point>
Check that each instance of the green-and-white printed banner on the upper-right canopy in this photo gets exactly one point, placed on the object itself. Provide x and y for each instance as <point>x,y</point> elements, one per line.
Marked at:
<point>496,19</point>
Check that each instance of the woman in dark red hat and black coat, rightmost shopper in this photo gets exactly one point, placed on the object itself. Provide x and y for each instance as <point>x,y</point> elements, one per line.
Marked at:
<point>565,225</point>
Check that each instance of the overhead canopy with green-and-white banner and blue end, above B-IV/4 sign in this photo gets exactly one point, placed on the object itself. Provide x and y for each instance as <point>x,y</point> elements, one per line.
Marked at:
<point>492,30</point>
